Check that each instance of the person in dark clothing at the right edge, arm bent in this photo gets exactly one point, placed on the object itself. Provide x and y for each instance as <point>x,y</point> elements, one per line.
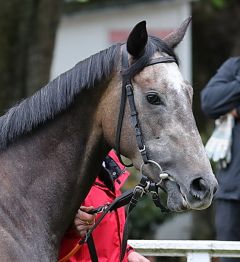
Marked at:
<point>220,97</point>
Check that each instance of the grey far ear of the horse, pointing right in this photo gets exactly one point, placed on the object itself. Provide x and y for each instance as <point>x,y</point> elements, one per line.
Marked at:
<point>174,38</point>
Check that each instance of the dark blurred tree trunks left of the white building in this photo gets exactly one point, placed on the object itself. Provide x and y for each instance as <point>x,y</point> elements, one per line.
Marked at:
<point>27,30</point>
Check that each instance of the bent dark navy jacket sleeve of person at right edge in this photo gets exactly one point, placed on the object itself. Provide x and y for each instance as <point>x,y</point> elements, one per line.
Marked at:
<point>222,93</point>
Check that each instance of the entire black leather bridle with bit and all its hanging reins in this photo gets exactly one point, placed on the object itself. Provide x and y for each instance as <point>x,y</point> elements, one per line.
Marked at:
<point>146,185</point>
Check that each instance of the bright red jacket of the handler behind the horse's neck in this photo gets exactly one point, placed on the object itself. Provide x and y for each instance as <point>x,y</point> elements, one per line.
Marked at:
<point>108,234</point>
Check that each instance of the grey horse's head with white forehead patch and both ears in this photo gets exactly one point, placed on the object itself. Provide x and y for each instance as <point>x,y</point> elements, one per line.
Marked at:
<point>163,101</point>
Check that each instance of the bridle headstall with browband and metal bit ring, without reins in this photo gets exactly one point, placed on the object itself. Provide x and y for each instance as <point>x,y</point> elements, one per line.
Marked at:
<point>127,93</point>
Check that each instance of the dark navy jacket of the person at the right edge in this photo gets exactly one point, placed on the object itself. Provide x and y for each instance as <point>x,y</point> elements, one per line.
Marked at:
<point>220,96</point>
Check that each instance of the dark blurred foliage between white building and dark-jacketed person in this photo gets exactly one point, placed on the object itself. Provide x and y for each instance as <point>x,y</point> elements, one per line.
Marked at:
<point>216,37</point>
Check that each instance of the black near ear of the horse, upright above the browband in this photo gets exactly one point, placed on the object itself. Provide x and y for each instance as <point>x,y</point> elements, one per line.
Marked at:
<point>137,39</point>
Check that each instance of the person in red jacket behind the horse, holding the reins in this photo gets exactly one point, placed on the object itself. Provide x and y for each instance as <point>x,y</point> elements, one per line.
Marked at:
<point>108,234</point>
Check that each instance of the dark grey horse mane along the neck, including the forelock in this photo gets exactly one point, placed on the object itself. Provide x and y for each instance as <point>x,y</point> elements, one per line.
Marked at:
<point>59,94</point>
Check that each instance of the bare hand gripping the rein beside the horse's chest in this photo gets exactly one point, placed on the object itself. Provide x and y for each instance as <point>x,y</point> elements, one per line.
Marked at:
<point>83,221</point>
